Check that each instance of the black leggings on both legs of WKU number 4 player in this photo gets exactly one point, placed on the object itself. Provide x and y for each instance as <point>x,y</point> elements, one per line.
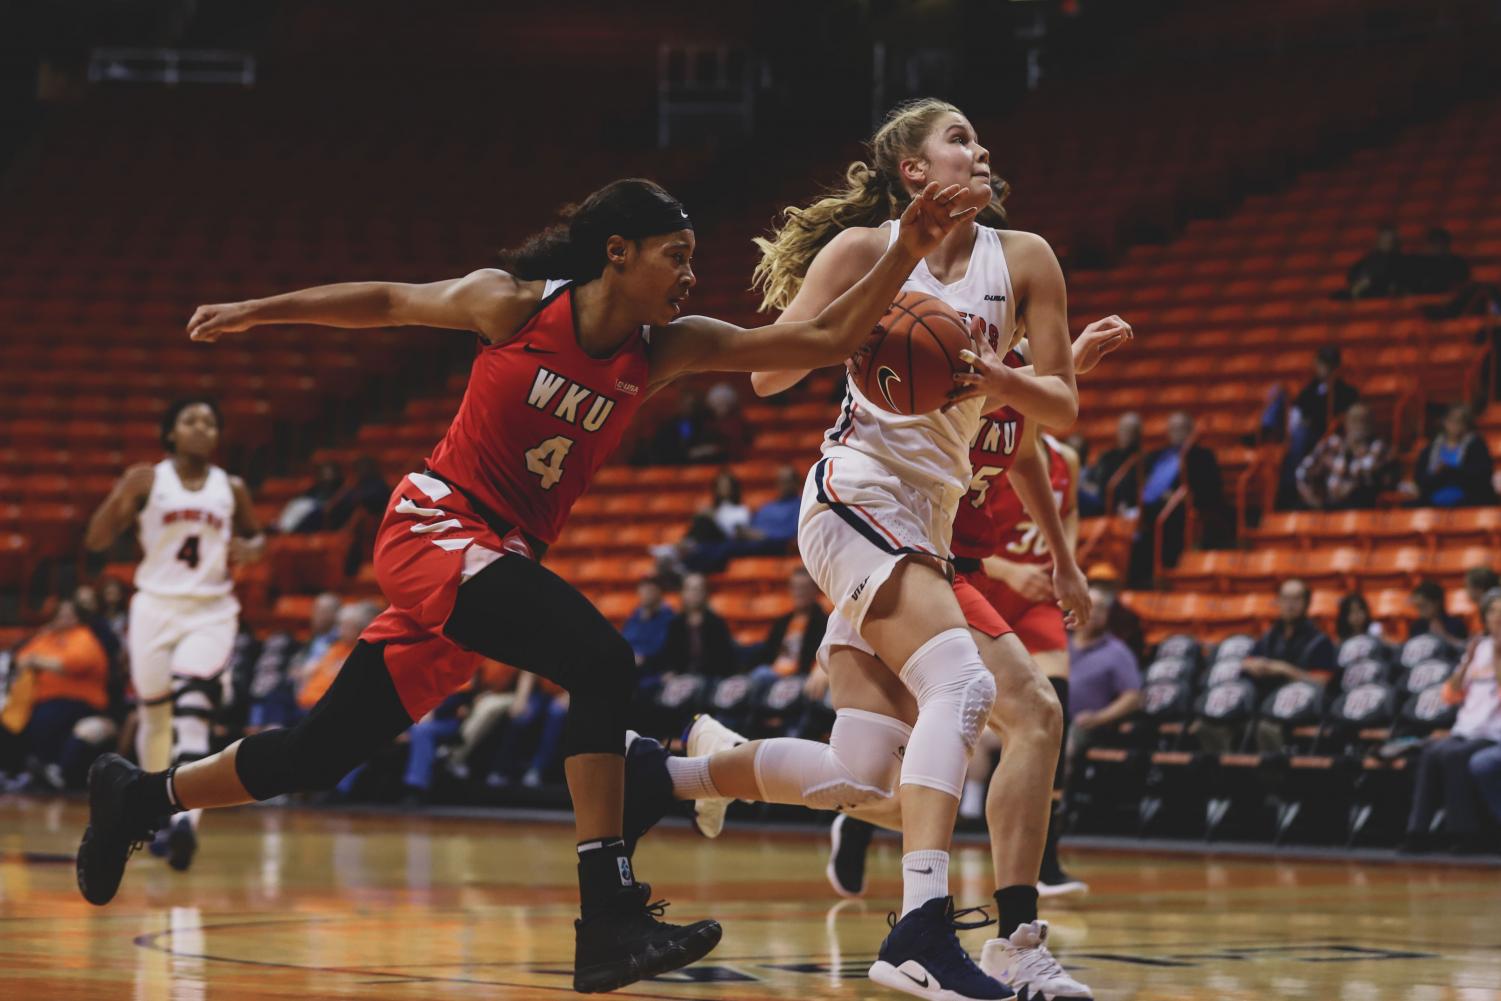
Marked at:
<point>514,612</point>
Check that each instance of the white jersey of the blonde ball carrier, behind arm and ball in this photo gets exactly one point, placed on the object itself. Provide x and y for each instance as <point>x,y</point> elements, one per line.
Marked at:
<point>933,451</point>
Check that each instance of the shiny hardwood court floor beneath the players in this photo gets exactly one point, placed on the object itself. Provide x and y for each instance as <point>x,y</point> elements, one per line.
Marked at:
<point>308,904</point>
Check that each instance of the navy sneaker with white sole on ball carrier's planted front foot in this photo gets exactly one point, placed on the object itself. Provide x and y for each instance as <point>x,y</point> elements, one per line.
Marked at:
<point>922,957</point>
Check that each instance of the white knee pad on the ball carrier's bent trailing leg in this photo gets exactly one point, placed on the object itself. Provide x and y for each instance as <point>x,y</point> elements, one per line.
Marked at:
<point>859,765</point>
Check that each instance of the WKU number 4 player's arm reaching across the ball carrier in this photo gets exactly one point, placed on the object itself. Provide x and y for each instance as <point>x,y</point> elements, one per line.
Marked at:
<point>702,344</point>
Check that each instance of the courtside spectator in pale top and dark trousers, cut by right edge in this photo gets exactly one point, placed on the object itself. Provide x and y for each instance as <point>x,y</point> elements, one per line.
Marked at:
<point>1443,777</point>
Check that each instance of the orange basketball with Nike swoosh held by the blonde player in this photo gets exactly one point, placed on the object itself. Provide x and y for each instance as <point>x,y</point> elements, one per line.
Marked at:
<point>909,365</point>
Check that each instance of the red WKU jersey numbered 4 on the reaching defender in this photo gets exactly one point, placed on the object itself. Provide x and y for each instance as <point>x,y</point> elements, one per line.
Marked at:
<point>540,418</point>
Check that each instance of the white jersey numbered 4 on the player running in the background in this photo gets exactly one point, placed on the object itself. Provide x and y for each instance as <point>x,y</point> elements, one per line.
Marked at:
<point>185,537</point>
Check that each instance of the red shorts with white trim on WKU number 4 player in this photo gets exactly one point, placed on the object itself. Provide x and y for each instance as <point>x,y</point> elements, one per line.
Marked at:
<point>429,544</point>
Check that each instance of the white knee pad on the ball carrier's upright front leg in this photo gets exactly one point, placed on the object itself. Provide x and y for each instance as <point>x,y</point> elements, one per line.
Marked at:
<point>954,693</point>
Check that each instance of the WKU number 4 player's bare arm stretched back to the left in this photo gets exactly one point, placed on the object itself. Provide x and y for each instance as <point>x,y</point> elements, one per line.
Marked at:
<point>489,302</point>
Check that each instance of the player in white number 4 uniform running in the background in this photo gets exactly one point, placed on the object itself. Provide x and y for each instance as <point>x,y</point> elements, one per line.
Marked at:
<point>193,522</point>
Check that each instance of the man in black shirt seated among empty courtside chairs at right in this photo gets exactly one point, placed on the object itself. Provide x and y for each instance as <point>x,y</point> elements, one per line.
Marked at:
<point>1293,651</point>
